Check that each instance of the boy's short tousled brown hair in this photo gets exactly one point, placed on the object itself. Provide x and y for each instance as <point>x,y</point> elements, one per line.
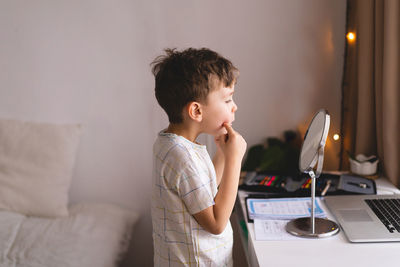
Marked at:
<point>189,75</point>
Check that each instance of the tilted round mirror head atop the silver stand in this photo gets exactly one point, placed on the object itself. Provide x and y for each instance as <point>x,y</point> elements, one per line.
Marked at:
<point>314,140</point>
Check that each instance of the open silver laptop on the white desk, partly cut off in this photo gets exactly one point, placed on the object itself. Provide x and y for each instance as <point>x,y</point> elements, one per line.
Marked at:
<point>367,218</point>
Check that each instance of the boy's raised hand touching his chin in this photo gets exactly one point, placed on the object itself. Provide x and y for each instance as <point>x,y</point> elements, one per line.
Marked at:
<point>231,144</point>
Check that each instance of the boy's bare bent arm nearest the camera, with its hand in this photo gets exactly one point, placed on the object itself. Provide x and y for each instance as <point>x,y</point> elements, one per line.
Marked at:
<point>214,218</point>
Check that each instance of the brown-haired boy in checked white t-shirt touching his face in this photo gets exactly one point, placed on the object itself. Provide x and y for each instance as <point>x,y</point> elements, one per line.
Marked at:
<point>190,215</point>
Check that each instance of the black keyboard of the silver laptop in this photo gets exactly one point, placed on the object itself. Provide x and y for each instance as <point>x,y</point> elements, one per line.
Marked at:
<point>388,211</point>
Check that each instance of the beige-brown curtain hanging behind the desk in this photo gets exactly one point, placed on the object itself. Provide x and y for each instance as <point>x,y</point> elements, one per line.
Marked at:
<point>371,87</point>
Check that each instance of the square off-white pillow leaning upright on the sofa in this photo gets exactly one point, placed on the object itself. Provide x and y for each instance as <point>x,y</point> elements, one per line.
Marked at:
<point>36,166</point>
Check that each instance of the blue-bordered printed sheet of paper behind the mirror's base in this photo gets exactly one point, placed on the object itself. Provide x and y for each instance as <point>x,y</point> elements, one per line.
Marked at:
<point>283,208</point>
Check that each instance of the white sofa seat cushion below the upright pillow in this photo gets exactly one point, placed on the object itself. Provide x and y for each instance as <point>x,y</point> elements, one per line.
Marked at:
<point>92,235</point>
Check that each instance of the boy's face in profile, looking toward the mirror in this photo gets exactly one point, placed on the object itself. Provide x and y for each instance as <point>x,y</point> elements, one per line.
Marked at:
<point>219,109</point>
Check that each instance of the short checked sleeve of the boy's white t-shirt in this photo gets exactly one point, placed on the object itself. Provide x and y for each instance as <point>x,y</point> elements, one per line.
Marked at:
<point>195,188</point>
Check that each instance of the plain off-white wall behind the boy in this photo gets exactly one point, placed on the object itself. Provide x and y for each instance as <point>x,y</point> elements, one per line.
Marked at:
<point>88,61</point>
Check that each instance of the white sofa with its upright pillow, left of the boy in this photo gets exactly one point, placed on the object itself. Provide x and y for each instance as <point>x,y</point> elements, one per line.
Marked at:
<point>38,228</point>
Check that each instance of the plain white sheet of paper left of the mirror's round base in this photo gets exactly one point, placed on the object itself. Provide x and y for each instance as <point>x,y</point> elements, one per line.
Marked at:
<point>272,230</point>
